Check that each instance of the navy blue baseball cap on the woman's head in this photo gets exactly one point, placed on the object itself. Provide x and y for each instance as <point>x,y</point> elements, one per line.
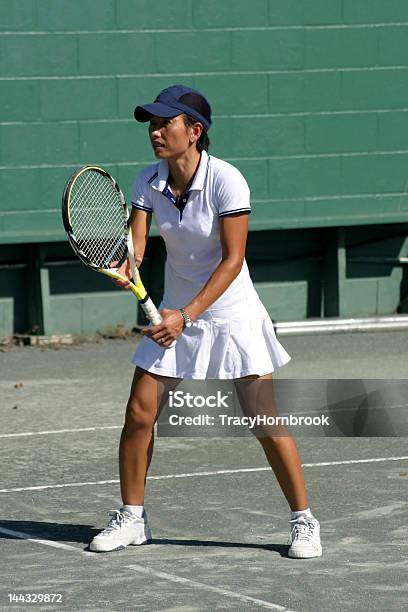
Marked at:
<point>174,101</point>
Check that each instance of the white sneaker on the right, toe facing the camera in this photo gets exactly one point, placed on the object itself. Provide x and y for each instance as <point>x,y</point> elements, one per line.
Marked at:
<point>304,538</point>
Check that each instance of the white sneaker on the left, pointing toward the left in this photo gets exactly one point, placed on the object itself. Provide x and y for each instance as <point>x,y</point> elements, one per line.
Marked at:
<point>123,529</point>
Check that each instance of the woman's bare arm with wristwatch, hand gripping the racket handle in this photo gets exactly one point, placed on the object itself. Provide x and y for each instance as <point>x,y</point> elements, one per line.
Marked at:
<point>233,234</point>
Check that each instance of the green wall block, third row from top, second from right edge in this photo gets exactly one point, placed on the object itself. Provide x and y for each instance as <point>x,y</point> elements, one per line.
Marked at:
<point>305,92</point>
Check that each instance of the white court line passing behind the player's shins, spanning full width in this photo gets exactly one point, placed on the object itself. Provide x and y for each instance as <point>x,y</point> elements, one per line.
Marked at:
<point>195,474</point>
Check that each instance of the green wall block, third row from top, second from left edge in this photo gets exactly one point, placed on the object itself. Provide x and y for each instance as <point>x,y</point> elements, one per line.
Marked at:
<point>78,99</point>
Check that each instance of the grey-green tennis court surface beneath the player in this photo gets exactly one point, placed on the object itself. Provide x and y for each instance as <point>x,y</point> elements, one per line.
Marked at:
<point>219,519</point>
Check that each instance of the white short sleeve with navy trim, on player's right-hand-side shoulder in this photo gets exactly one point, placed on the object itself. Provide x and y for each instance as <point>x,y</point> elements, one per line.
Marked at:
<point>233,193</point>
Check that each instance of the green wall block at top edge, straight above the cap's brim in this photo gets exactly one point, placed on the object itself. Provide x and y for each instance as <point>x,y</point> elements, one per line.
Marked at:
<point>135,14</point>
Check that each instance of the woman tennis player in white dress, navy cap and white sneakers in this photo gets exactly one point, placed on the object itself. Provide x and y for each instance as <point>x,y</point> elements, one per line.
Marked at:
<point>201,206</point>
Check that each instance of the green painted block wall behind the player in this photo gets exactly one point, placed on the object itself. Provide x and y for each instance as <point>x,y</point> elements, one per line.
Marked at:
<point>309,101</point>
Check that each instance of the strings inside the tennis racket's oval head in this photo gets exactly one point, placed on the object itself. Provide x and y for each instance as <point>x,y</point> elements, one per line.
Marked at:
<point>98,219</point>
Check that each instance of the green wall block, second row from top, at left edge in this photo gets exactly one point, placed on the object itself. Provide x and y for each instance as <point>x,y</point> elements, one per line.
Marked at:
<point>37,55</point>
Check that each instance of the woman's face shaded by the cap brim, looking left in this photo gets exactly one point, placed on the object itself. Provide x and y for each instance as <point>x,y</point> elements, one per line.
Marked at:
<point>170,138</point>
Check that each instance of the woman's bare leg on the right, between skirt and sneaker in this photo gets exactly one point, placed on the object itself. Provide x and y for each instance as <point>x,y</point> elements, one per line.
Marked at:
<point>280,450</point>
